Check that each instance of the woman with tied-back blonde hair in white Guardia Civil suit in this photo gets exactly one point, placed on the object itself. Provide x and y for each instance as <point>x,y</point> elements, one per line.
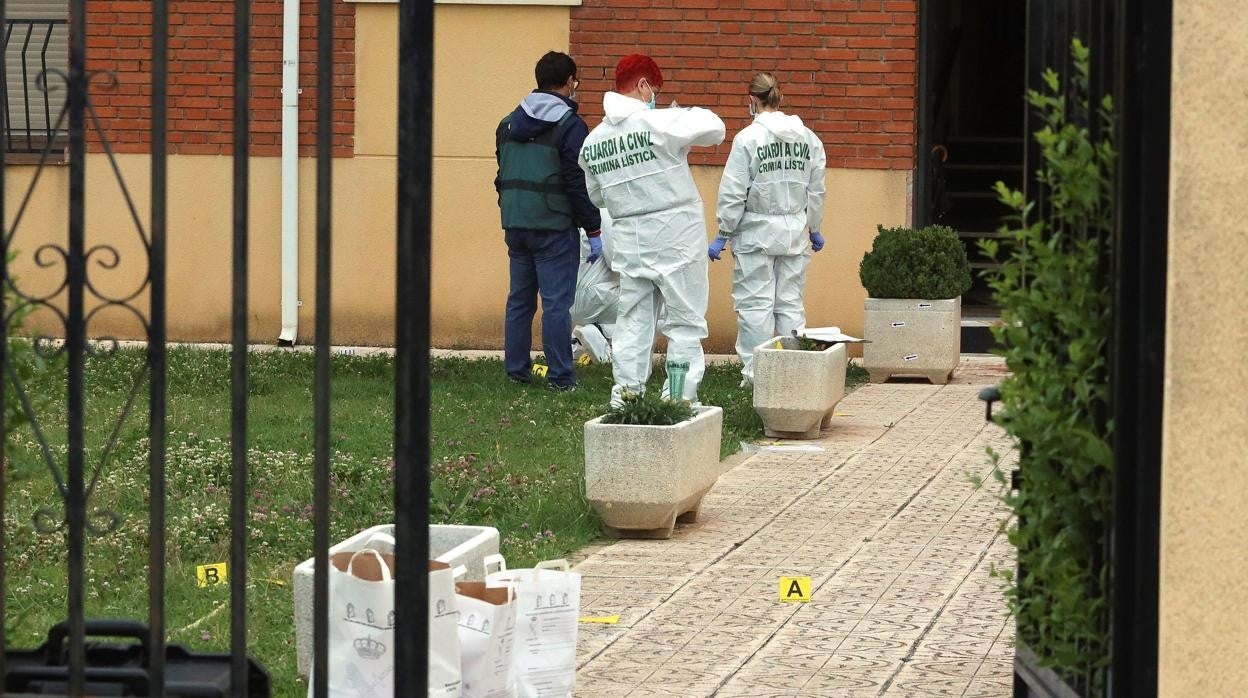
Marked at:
<point>771,204</point>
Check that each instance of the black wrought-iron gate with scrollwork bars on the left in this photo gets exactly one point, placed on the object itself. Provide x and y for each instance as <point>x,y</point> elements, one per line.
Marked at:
<point>69,665</point>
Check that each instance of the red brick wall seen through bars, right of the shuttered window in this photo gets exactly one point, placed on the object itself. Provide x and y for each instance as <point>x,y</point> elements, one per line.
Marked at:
<point>202,76</point>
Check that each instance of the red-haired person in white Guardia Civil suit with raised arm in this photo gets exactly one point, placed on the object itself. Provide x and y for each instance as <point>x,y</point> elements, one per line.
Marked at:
<point>637,168</point>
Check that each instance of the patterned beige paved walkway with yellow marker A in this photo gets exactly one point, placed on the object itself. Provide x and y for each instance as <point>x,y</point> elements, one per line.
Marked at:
<point>885,521</point>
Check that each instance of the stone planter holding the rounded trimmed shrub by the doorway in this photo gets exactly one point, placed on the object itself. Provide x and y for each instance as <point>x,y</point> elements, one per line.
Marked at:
<point>913,338</point>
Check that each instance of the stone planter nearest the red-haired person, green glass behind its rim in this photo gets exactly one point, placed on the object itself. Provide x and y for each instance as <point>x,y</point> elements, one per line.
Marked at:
<point>642,480</point>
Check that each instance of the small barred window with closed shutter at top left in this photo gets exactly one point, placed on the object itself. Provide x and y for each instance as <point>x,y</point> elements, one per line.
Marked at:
<point>36,102</point>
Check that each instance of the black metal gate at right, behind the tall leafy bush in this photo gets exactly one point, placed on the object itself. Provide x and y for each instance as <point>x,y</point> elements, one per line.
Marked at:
<point>1133,63</point>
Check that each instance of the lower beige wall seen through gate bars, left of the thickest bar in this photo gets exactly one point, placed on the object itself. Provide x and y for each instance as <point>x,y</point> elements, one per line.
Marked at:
<point>200,244</point>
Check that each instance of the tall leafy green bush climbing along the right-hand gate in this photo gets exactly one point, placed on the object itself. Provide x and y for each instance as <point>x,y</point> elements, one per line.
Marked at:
<point>1056,310</point>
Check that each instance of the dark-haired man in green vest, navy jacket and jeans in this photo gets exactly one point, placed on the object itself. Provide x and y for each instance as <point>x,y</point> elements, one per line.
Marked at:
<point>544,200</point>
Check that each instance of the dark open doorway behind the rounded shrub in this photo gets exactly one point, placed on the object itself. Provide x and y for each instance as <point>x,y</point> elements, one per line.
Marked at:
<point>973,79</point>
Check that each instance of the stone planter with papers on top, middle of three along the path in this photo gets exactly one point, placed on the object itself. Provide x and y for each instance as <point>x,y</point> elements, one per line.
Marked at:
<point>796,391</point>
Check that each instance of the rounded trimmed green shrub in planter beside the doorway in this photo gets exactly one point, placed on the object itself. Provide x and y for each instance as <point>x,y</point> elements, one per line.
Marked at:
<point>927,264</point>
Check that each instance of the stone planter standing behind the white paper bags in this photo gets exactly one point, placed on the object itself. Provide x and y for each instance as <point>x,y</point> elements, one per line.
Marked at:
<point>457,546</point>
